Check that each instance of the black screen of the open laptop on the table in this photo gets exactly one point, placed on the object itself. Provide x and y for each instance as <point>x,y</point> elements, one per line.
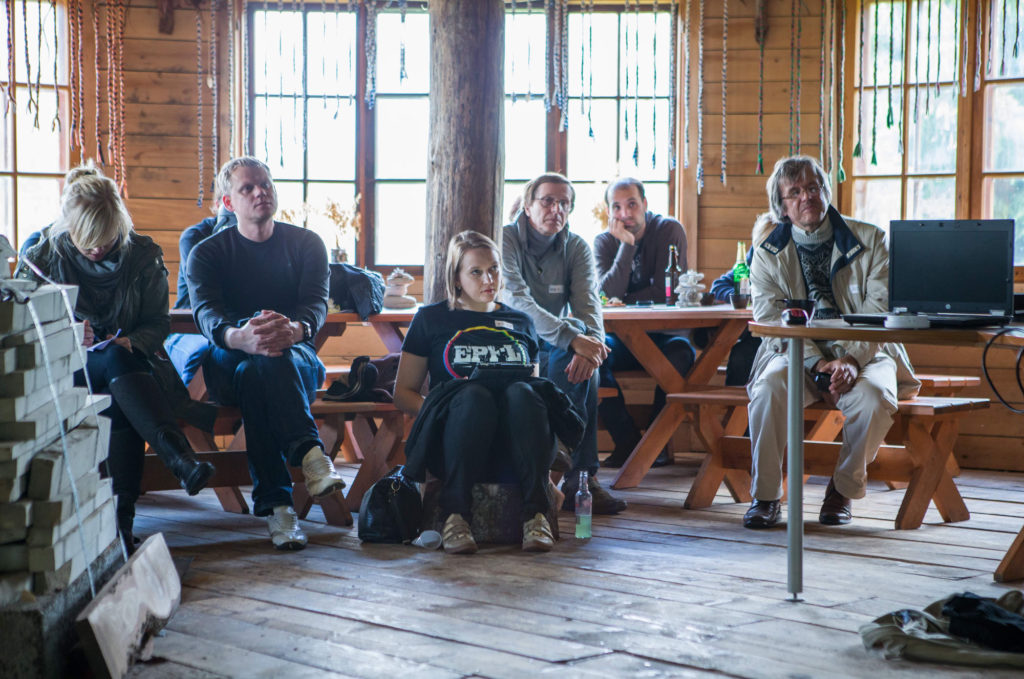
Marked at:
<point>952,266</point>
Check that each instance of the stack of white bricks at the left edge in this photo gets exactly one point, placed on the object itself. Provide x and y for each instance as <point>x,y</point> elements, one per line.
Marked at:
<point>45,543</point>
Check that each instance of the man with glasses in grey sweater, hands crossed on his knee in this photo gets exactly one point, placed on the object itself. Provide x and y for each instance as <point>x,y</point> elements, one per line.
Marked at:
<point>549,274</point>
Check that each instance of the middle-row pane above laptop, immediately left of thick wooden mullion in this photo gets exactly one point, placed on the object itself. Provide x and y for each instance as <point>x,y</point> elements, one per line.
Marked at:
<point>931,141</point>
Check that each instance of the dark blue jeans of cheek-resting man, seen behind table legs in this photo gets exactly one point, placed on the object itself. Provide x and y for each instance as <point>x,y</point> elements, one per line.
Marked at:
<point>614,415</point>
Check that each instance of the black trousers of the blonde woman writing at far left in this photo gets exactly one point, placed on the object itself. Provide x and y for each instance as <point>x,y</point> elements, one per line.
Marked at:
<point>127,449</point>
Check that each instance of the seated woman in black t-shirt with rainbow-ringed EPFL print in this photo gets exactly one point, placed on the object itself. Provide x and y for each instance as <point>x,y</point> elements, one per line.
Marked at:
<point>491,425</point>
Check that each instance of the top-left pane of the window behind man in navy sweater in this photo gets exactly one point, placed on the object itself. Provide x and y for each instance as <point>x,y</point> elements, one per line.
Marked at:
<point>279,39</point>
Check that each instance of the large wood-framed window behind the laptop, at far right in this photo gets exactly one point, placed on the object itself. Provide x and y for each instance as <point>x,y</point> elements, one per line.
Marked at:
<point>917,163</point>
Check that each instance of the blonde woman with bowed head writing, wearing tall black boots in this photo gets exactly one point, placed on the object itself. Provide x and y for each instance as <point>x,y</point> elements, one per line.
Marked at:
<point>123,299</point>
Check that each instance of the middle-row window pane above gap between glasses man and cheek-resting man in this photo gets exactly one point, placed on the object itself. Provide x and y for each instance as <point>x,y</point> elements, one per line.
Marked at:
<point>593,158</point>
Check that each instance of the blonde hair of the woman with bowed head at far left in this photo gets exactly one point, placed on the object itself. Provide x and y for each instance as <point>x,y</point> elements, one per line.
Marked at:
<point>94,215</point>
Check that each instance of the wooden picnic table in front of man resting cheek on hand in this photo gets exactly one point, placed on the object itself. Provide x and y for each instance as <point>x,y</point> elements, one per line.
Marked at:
<point>632,325</point>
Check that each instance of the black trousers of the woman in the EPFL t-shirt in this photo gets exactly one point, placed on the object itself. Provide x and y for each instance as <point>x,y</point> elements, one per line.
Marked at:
<point>497,434</point>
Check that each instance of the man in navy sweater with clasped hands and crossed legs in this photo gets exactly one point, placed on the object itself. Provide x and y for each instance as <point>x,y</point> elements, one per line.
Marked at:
<point>260,295</point>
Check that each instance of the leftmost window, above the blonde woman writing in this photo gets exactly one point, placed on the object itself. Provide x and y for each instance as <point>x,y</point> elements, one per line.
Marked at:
<point>34,156</point>
